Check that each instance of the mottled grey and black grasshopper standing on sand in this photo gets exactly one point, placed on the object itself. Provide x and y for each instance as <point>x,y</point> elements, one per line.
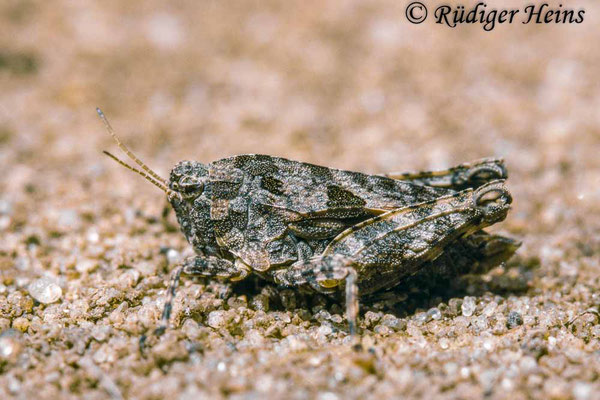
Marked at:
<point>328,230</point>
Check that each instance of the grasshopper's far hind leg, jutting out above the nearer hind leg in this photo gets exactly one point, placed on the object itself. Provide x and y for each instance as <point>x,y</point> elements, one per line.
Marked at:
<point>468,175</point>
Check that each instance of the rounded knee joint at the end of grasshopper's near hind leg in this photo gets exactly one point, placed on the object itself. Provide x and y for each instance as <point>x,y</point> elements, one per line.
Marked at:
<point>494,200</point>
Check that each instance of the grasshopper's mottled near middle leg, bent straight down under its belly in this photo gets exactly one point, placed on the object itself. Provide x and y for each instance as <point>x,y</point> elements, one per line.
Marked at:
<point>324,274</point>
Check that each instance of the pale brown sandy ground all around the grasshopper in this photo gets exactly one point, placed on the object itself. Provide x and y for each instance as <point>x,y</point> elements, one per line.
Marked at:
<point>347,84</point>
